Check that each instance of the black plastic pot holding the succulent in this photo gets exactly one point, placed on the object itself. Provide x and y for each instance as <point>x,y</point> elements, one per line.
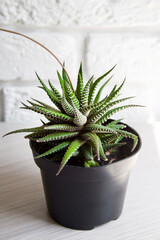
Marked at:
<point>82,198</point>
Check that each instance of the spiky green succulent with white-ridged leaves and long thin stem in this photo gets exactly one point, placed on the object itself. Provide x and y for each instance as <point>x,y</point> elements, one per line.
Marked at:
<point>78,120</point>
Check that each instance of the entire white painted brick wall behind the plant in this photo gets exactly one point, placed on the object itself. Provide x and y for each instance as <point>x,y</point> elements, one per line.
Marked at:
<point>98,33</point>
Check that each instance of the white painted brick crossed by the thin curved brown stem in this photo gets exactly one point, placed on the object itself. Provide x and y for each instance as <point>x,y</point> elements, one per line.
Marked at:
<point>20,58</point>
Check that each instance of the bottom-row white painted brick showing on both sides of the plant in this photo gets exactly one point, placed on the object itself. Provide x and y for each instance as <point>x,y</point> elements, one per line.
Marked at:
<point>13,96</point>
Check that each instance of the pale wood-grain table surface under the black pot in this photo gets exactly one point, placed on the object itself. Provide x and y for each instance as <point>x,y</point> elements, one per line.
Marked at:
<point>23,213</point>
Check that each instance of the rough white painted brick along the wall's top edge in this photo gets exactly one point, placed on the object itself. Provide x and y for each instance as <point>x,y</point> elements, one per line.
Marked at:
<point>80,13</point>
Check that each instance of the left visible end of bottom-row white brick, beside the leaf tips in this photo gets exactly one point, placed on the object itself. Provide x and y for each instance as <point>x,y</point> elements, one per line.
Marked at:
<point>13,96</point>
